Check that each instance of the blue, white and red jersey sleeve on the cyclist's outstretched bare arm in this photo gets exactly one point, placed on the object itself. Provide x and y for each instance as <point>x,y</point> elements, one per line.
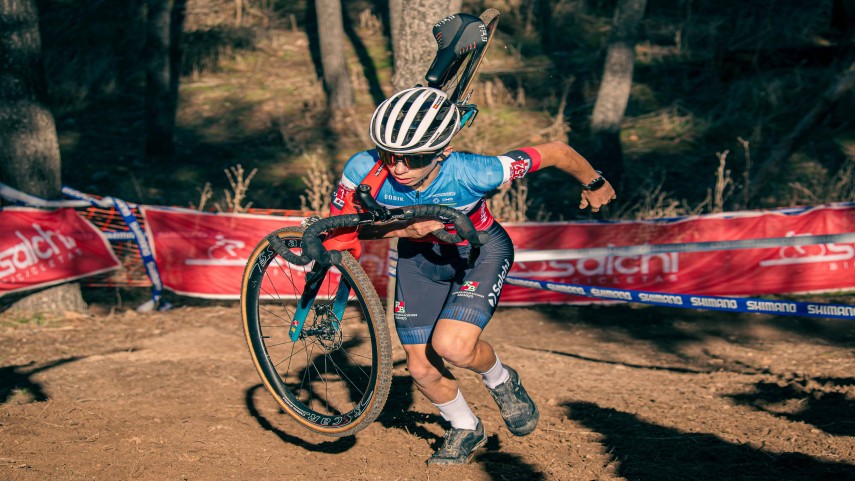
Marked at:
<point>485,173</point>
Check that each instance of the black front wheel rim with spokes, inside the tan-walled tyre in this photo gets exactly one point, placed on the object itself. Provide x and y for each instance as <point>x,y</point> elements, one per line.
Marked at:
<point>327,379</point>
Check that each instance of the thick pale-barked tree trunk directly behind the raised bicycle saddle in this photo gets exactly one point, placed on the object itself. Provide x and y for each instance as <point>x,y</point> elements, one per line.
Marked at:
<point>412,37</point>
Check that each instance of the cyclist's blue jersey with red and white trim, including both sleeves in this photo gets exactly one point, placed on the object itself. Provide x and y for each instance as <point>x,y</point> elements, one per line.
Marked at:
<point>462,182</point>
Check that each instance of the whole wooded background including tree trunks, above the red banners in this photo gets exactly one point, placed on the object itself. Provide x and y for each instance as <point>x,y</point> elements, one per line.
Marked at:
<point>686,106</point>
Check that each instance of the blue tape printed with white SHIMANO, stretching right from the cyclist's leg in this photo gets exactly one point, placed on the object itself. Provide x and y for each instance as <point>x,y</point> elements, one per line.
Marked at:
<point>717,303</point>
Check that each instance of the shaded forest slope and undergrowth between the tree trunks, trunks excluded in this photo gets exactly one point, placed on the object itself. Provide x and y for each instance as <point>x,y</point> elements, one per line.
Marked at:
<point>717,87</point>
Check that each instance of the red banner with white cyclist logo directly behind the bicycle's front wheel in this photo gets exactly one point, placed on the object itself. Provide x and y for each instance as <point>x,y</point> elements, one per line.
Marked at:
<point>203,254</point>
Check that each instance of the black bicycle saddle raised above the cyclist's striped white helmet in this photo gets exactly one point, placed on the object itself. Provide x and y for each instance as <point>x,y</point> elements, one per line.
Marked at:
<point>455,36</point>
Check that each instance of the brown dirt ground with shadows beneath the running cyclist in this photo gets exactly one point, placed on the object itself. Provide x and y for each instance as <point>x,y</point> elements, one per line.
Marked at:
<point>625,392</point>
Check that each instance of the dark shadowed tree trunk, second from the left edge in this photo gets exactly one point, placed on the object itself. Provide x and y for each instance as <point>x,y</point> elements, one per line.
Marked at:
<point>164,24</point>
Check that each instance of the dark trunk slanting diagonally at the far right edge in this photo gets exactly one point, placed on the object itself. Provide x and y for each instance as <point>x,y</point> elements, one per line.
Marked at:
<point>789,144</point>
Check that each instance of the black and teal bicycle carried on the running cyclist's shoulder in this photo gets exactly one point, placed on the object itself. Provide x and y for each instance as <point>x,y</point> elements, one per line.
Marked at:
<point>327,358</point>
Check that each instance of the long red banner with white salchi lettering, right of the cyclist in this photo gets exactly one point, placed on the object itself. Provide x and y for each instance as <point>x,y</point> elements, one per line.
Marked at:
<point>809,268</point>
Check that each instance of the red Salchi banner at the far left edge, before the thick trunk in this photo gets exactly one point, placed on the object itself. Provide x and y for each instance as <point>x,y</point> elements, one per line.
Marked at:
<point>39,248</point>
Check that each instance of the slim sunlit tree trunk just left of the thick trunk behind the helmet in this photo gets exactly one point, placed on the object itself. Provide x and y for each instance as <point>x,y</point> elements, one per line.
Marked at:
<point>331,38</point>
